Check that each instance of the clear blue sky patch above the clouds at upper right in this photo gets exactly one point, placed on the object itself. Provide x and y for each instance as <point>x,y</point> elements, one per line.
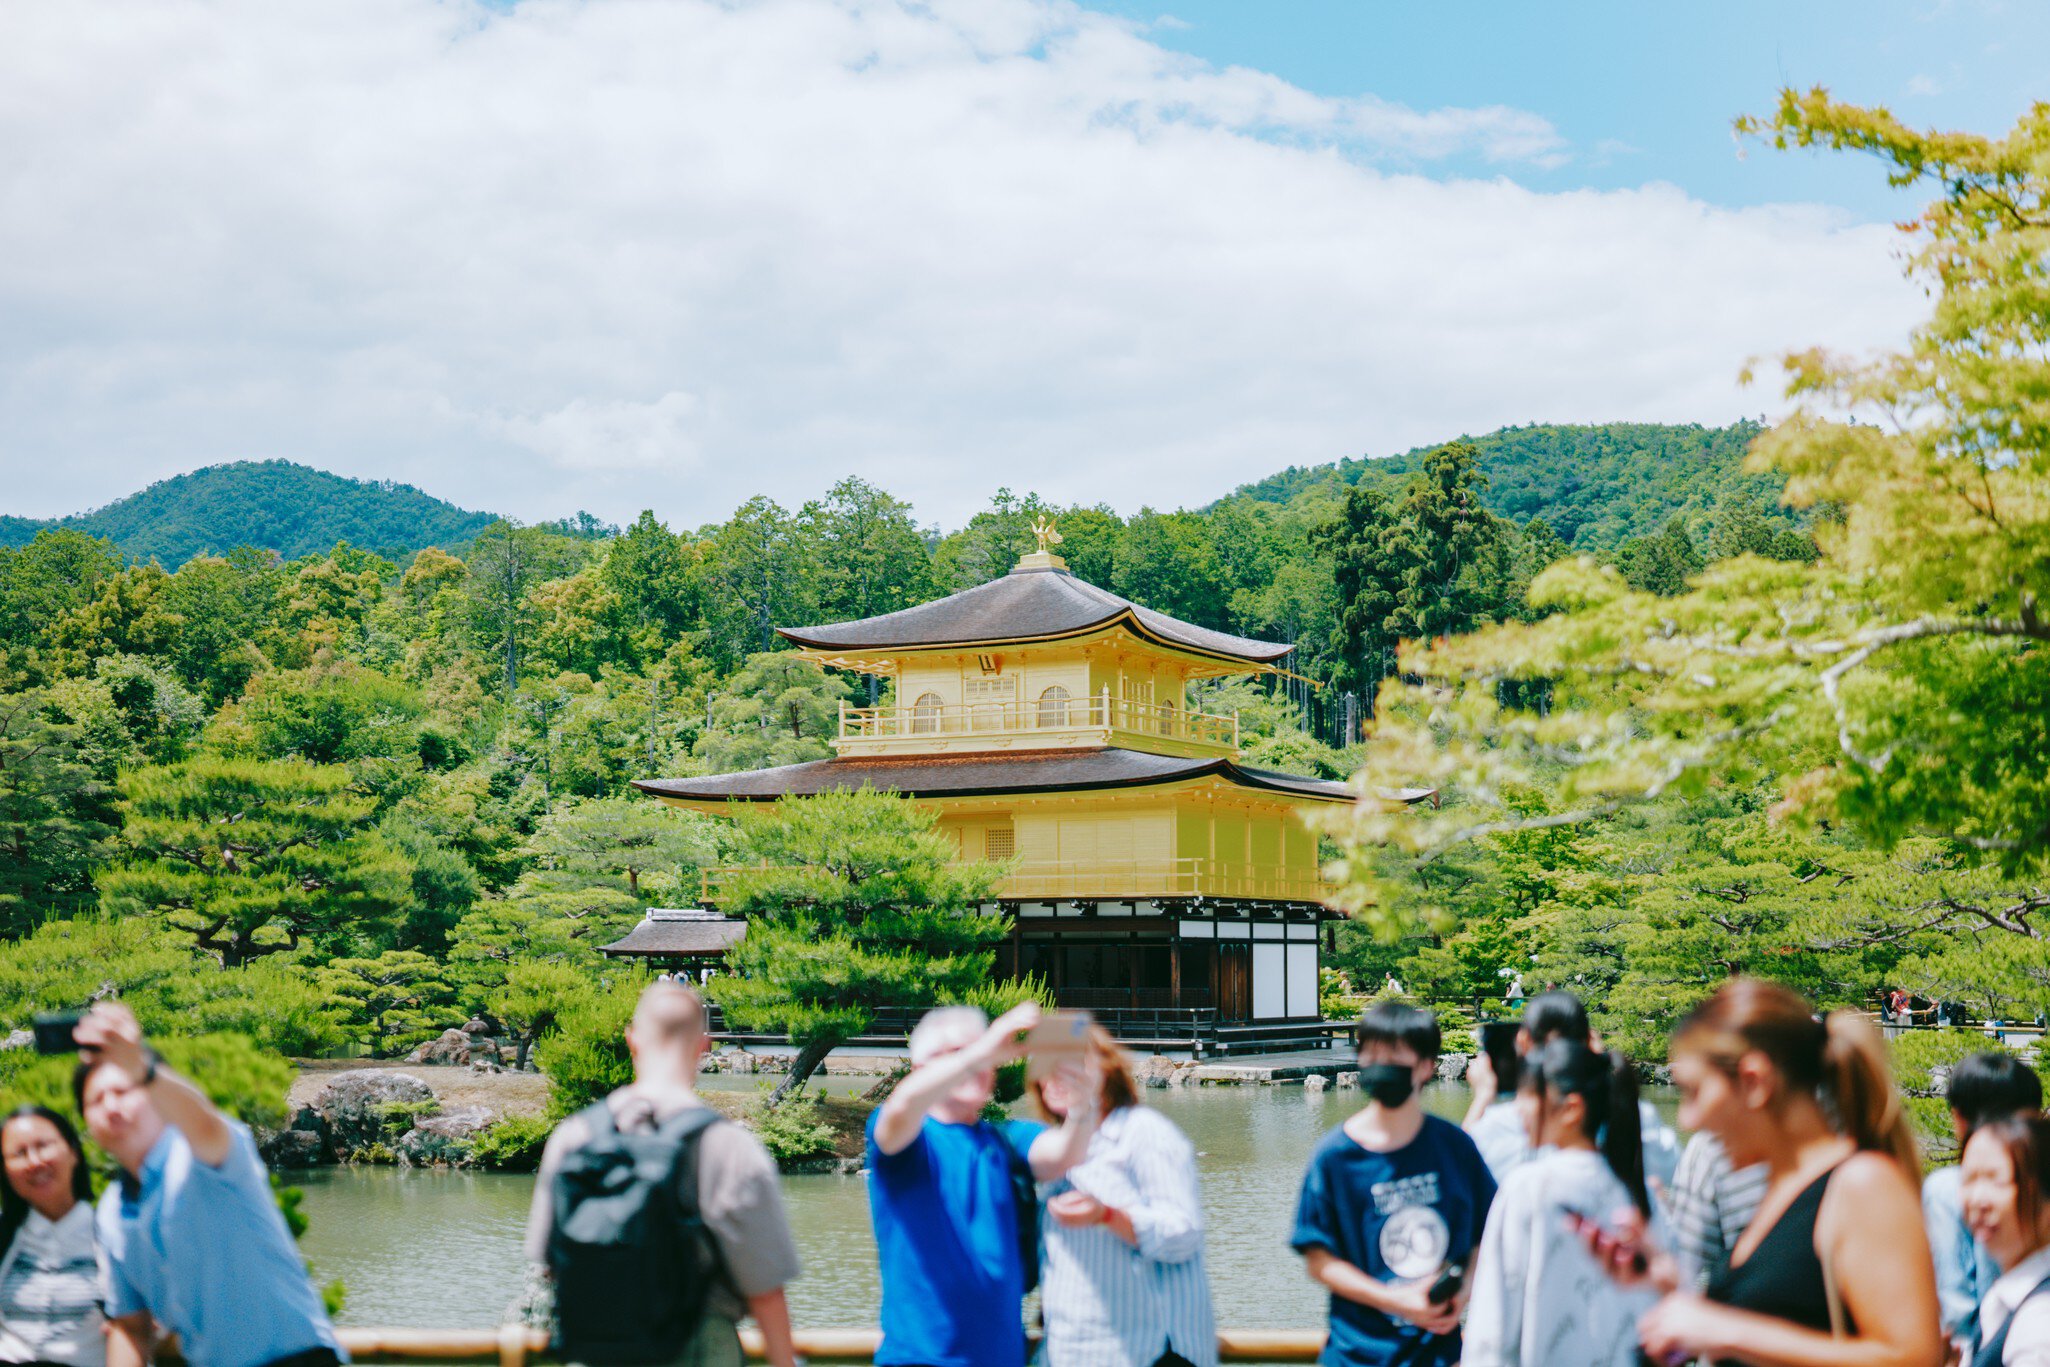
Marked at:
<point>1645,89</point>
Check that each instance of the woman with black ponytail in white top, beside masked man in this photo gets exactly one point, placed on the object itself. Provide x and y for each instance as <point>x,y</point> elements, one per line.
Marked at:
<point>1541,1300</point>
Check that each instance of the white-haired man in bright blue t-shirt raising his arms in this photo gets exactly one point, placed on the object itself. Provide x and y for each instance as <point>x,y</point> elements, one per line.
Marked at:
<point>946,1192</point>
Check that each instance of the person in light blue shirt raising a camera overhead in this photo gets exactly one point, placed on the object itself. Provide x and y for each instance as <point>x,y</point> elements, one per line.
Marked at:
<point>192,1233</point>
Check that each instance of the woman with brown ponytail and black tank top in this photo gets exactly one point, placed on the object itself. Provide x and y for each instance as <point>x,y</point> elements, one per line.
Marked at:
<point>1834,1272</point>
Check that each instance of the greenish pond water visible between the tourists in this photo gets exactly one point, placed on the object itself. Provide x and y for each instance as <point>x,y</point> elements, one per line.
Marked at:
<point>444,1249</point>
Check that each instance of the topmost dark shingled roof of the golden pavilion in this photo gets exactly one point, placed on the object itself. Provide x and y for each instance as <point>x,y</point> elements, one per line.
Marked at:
<point>1026,606</point>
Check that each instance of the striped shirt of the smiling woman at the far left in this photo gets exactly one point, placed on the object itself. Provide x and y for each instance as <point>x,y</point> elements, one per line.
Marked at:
<point>52,1284</point>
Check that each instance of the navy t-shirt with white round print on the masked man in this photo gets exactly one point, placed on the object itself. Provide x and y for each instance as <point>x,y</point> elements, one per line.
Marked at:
<point>1395,1216</point>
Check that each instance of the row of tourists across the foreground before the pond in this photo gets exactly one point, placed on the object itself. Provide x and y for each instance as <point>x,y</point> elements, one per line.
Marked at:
<point>1559,1225</point>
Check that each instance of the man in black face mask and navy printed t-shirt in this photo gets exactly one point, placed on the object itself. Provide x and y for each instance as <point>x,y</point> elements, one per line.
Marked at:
<point>1393,1198</point>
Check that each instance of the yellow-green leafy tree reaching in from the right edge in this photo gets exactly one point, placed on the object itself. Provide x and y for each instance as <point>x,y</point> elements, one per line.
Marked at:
<point>1899,683</point>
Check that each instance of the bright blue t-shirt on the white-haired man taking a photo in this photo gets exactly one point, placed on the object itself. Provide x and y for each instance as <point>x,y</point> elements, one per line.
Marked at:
<point>948,1243</point>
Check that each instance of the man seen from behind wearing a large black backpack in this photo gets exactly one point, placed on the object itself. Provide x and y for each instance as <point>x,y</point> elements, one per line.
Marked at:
<point>659,1223</point>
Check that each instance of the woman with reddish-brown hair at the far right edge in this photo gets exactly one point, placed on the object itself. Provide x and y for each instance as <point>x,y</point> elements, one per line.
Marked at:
<point>2004,1179</point>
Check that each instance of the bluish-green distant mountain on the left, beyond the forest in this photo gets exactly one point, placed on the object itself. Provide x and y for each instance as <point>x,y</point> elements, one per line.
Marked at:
<point>272,505</point>
